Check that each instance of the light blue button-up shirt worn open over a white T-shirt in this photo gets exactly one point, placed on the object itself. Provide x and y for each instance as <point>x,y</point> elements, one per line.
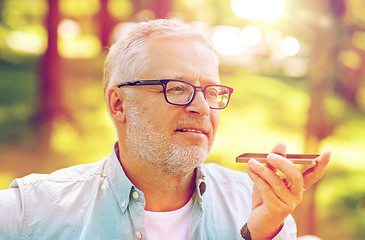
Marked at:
<point>98,201</point>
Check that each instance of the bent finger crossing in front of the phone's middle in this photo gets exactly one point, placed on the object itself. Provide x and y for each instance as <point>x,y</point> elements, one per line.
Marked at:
<point>294,178</point>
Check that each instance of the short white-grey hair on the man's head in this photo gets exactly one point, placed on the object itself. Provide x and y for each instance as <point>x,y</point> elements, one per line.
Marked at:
<point>128,58</point>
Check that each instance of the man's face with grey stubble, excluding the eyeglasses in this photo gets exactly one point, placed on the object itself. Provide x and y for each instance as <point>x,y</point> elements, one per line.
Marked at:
<point>173,138</point>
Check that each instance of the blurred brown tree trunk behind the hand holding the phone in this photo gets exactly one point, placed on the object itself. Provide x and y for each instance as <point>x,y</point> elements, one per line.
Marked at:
<point>318,125</point>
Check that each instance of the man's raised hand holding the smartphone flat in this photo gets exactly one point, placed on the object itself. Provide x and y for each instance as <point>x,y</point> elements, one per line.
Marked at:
<point>274,198</point>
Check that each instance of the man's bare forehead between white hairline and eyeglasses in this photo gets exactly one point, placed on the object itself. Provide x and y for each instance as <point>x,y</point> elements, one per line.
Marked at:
<point>184,59</point>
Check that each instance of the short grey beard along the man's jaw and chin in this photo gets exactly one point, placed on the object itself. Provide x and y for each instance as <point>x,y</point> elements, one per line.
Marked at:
<point>152,148</point>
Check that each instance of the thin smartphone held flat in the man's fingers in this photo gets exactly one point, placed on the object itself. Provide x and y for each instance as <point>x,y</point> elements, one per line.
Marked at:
<point>295,158</point>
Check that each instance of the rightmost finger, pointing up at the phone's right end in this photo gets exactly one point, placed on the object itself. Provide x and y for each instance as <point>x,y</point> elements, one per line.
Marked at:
<point>312,175</point>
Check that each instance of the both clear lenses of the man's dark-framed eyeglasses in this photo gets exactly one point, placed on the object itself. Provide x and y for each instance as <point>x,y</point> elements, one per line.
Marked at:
<point>181,93</point>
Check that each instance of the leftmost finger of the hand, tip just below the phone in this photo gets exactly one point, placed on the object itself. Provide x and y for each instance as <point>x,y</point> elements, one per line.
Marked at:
<point>273,181</point>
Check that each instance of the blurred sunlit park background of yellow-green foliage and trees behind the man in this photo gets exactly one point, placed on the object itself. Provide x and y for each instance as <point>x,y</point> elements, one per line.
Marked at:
<point>297,67</point>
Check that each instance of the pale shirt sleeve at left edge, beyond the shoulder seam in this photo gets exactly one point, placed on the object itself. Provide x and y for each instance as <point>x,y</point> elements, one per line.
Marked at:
<point>11,212</point>
